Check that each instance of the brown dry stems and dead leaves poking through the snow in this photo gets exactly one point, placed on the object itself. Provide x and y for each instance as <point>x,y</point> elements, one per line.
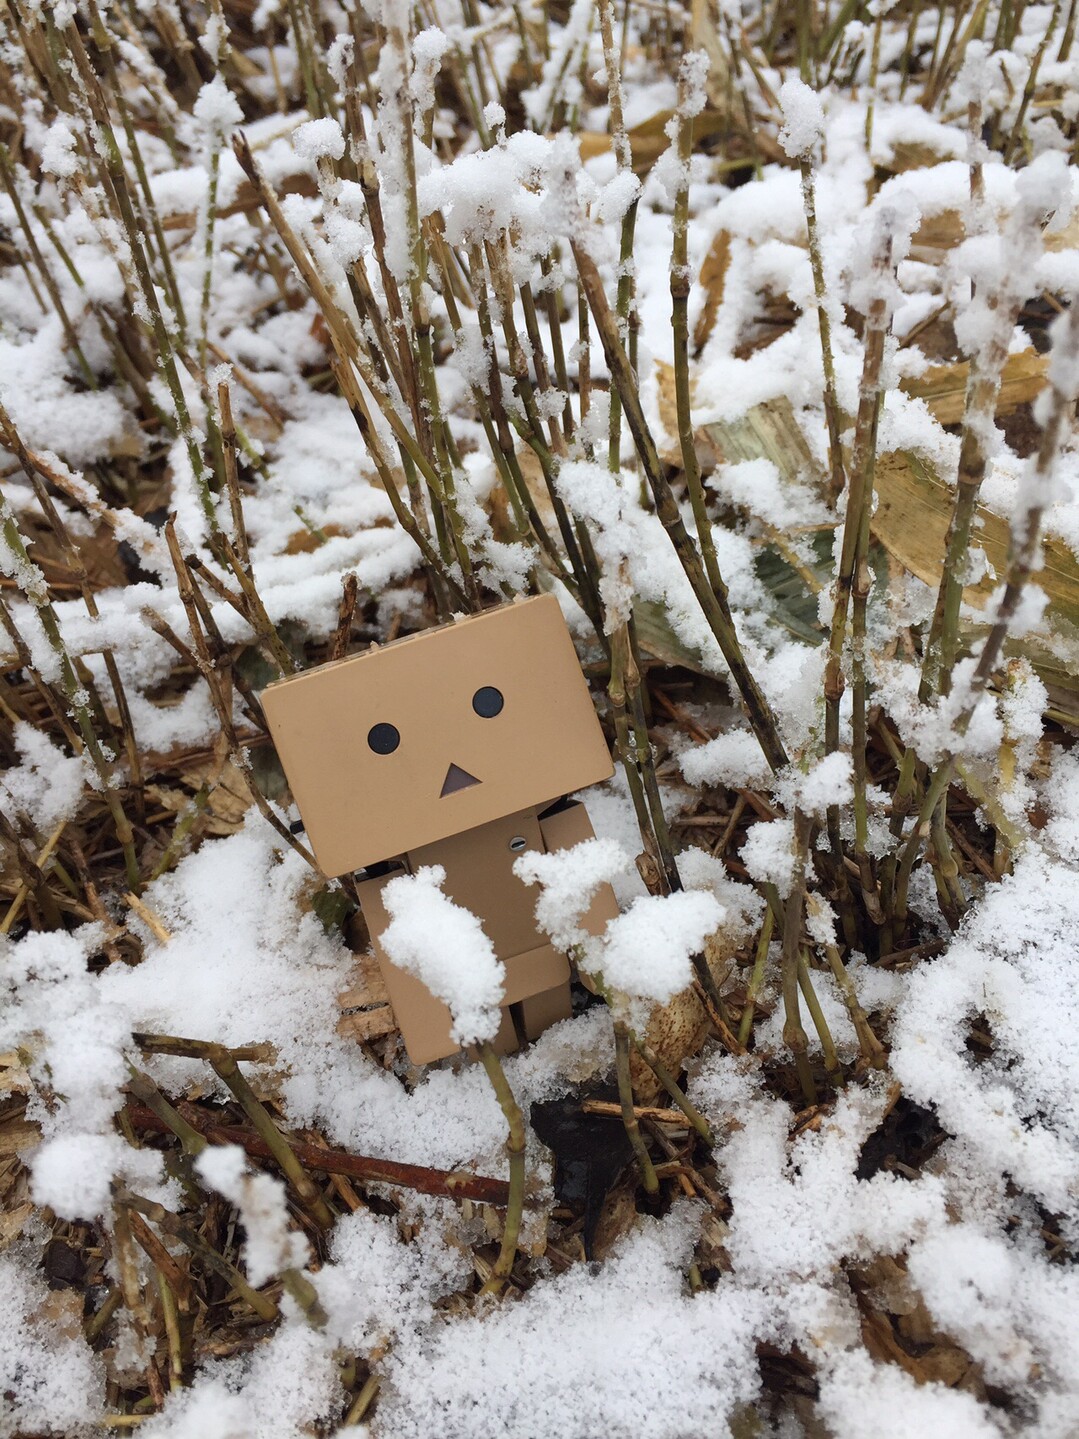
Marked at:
<point>530,412</point>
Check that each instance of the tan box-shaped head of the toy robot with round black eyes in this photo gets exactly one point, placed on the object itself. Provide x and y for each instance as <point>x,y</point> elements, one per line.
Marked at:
<point>437,735</point>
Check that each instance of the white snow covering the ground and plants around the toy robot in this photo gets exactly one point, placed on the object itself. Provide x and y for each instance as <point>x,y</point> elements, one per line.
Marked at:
<point>812,1254</point>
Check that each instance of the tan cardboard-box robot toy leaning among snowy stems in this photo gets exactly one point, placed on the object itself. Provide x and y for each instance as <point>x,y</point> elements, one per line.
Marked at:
<point>452,748</point>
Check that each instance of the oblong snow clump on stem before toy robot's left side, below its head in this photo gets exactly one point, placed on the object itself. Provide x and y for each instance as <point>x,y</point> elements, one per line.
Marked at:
<point>447,949</point>
